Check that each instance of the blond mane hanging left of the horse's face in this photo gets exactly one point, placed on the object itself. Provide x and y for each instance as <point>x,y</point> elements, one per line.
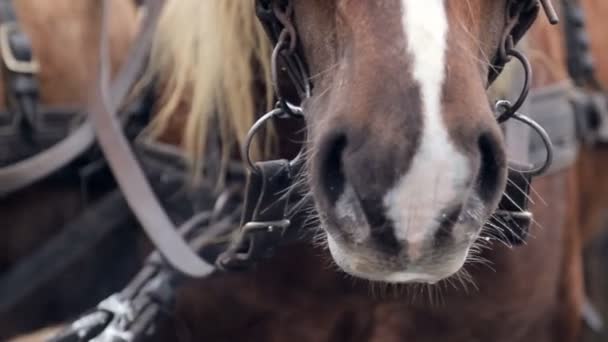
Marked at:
<point>212,54</point>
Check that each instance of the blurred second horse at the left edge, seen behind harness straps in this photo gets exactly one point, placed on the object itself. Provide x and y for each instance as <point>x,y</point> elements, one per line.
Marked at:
<point>63,36</point>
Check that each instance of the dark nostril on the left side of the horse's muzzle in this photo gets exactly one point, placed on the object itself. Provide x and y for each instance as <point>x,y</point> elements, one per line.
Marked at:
<point>331,168</point>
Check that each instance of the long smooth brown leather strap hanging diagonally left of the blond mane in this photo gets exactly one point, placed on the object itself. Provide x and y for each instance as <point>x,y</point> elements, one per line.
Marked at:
<point>126,169</point>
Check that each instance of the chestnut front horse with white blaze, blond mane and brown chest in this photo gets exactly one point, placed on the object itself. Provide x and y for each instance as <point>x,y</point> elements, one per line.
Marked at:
<point>405,165</point>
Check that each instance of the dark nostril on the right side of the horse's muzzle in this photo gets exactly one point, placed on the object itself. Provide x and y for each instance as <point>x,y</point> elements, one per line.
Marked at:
<point>490,169</point>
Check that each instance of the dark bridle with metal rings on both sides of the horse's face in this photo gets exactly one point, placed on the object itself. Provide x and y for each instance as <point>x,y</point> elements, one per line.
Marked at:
<point>277,18</point>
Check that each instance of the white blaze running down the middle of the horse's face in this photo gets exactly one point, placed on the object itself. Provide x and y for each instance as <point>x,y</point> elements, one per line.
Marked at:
<point>438,171</point>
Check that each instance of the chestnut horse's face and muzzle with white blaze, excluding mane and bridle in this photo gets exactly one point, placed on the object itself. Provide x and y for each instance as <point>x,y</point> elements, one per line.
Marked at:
<point>407,159</point>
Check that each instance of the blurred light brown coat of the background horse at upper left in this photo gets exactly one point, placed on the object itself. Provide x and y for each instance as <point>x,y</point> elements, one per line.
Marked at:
<point>65,37</point>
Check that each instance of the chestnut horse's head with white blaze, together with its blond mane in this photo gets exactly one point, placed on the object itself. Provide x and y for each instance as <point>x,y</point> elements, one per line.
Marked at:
<point>405,158</point>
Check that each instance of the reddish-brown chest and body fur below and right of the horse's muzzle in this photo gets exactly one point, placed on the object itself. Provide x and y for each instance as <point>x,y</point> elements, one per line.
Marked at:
<point>530,293</point>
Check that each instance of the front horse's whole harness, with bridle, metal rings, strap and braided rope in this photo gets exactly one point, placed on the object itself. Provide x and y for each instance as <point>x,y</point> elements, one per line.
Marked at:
<point>265,221</point>
